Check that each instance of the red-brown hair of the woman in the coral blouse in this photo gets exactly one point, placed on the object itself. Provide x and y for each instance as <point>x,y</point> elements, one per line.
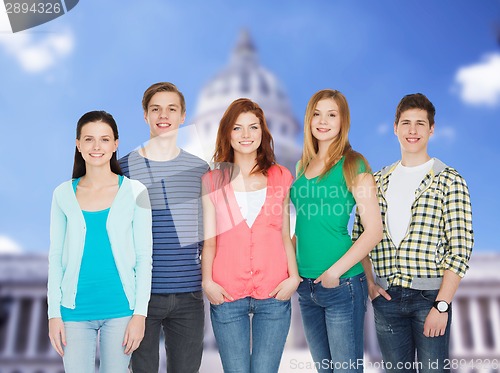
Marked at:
<point>224,152</point>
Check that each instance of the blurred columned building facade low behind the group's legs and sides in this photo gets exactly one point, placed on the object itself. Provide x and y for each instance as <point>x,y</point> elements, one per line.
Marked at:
<point>25,347</point>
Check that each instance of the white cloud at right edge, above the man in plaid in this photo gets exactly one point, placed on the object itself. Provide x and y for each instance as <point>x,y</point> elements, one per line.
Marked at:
<point>479,84</point>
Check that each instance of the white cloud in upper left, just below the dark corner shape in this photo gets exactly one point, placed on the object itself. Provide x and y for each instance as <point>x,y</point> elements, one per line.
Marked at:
<point>37,55</point>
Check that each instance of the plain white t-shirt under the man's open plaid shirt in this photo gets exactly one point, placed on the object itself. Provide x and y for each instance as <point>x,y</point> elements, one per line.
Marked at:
<point>400,195</point>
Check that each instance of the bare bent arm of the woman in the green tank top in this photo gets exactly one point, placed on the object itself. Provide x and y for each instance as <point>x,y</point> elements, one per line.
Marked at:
<point>364,191</point>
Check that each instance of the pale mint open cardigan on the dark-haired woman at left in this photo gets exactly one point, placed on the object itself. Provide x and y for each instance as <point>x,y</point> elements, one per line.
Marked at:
<point>129,227</point>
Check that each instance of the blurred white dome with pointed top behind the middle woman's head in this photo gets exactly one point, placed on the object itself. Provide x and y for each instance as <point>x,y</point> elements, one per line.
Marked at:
<point>245,77</point>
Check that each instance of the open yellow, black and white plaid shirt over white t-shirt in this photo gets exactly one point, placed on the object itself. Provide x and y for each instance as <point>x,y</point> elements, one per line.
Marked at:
<point>440,235</point>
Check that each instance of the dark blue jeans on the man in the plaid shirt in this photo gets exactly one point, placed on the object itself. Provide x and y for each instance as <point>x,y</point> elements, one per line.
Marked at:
<point>400,327</point>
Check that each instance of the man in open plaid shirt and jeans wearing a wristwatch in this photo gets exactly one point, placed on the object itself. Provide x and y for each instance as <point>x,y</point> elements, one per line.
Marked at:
<point>425,250</point>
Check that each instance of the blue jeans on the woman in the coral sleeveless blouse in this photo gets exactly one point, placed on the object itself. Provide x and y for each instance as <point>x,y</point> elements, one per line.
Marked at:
<point>265,338</point>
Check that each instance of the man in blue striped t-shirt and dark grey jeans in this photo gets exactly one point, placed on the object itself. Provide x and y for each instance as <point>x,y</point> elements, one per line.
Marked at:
<point>173,179</point>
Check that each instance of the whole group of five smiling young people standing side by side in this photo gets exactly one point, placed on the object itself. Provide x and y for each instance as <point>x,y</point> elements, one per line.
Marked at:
<point>136,242</point>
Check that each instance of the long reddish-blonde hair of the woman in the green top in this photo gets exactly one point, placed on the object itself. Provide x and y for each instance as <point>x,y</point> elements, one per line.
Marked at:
<point>339,147</point>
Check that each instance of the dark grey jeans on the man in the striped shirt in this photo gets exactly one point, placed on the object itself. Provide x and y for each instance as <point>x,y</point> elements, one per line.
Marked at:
<point>182,318</point>
